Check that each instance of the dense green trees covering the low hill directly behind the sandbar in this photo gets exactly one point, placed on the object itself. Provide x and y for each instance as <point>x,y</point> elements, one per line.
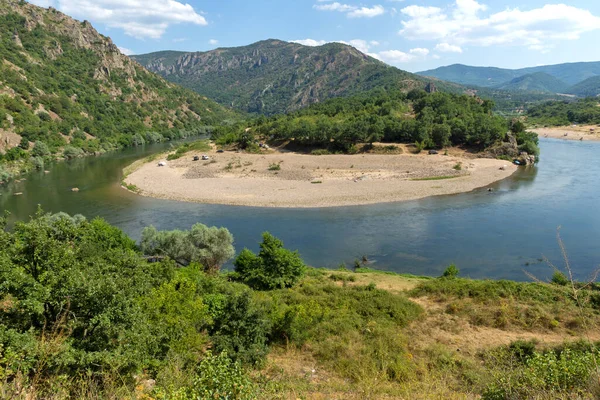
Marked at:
<point>431,120</point>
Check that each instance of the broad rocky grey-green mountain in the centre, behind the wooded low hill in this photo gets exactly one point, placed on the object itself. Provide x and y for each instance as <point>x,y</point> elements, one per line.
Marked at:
<point>273,76</point>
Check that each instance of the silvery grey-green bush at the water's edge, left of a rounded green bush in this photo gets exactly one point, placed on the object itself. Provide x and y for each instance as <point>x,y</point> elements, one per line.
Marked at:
<point>210,247</point>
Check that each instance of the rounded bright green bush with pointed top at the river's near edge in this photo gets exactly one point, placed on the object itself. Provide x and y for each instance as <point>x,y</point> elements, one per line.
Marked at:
<point>273,268</point>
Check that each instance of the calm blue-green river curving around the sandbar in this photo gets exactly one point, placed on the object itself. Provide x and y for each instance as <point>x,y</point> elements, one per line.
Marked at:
<point>499,234</point>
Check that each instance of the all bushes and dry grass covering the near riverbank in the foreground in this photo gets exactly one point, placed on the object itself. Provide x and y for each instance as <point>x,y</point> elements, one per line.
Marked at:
<point>84,315</point>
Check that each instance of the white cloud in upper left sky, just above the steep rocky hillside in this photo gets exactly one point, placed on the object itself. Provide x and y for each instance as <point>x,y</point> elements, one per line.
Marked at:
<point>137,18</point>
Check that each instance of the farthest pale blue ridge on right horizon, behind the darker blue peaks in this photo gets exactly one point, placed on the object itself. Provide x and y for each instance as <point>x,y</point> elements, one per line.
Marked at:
<point>569,73</point>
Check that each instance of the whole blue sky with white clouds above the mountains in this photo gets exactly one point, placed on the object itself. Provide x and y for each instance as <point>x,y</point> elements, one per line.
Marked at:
<point>411,34</point>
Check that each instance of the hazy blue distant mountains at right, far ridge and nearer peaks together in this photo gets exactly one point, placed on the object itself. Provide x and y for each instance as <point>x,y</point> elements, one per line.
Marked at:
<point>580,79</point>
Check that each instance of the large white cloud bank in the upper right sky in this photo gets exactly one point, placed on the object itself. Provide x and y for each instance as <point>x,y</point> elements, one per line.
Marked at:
<point>463,24</point>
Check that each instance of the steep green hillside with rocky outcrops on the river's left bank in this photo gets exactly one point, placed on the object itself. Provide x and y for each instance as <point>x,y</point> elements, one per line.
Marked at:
<point>62,82</point>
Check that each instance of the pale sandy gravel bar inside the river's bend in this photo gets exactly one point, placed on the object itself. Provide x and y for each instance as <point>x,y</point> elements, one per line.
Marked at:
<point>313,181</point>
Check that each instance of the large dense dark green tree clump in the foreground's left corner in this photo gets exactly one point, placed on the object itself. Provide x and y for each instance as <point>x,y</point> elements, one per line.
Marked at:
<point>74,284</point>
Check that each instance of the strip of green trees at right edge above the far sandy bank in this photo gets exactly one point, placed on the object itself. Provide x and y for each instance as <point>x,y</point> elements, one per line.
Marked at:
<point>583,111</point>
